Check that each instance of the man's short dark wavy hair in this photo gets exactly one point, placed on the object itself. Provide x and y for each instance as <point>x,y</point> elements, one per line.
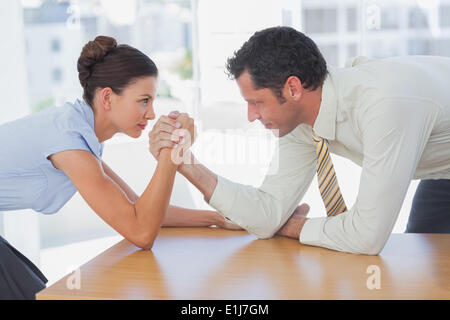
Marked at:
<point>272,55</point>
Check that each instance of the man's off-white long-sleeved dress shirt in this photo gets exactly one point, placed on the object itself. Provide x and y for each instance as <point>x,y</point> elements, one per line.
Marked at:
<point>389,116</point>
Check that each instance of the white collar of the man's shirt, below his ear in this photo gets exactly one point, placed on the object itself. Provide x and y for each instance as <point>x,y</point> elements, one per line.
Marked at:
<point>325,124</point>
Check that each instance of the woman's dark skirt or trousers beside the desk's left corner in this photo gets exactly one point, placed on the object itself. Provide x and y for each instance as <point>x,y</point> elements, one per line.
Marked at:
<point>20,279</point>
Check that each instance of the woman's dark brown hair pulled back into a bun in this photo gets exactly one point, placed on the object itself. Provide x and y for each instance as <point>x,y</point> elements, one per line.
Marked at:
<point>103,63</point>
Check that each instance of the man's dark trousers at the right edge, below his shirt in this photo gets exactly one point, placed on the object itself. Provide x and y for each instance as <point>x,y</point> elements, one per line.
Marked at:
<point>430,210</point>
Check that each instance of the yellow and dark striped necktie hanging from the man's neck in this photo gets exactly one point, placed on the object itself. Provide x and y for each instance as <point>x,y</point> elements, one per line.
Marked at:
<point>328,185</point>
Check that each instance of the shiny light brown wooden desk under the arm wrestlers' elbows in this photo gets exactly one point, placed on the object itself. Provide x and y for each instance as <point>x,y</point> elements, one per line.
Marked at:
<point>209,263</point>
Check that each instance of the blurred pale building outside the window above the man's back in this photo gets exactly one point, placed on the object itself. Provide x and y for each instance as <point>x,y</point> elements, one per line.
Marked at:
<point>377,29</point>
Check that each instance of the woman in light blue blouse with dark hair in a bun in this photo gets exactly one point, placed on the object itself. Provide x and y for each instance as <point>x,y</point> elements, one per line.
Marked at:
<point>46,157</point>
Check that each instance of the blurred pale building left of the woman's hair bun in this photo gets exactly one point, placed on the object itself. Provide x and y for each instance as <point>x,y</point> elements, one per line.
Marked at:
<point>52,49</point>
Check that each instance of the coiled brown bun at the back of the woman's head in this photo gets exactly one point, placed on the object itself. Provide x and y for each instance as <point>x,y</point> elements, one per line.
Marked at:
<point>93,52</point>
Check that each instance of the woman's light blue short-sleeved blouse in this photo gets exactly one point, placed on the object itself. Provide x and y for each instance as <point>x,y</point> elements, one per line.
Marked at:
<point>27,178</point>
